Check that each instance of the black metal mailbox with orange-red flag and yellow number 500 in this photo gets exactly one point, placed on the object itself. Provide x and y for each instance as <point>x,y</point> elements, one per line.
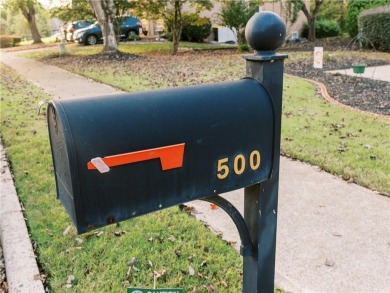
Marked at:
<point>118,157</point>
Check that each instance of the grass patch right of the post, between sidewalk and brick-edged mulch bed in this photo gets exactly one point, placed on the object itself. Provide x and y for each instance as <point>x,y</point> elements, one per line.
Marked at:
<point>352,145</point>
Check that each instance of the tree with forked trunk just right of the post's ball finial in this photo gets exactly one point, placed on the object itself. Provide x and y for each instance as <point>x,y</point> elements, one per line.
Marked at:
<point>293,8</point>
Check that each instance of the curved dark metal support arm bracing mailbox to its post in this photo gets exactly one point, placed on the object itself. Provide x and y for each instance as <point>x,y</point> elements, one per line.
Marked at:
<point>246,248</point>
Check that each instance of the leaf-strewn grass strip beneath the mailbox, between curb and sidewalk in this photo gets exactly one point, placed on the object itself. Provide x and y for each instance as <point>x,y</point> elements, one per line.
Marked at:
<point>166,243</point>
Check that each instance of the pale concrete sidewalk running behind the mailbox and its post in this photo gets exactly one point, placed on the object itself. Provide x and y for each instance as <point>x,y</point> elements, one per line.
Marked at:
<point>333,236</point>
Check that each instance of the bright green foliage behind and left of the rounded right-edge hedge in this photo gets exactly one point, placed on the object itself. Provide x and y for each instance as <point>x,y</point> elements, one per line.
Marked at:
<point>354,9</point>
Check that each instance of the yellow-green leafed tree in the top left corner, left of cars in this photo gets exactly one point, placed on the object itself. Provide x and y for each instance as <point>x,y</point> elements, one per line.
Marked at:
<point>27,8</point>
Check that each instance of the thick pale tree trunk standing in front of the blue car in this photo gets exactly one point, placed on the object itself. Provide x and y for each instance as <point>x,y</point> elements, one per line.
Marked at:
<point>105,13</point>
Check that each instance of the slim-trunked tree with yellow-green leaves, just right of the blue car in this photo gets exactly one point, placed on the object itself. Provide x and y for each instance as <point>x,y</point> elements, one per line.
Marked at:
<point>171,12</point>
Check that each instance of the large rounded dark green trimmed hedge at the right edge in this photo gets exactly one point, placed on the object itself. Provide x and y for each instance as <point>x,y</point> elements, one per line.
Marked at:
<point>374,25</point>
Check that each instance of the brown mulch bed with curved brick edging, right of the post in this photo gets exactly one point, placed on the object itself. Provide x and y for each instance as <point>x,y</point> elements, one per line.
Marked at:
<point>362,93</point>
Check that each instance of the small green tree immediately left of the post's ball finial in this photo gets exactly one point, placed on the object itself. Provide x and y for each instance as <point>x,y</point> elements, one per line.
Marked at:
<point>236,14</point>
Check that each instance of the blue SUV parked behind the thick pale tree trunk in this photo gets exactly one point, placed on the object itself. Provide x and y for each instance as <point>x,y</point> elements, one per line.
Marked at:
<point>127,26</point>
